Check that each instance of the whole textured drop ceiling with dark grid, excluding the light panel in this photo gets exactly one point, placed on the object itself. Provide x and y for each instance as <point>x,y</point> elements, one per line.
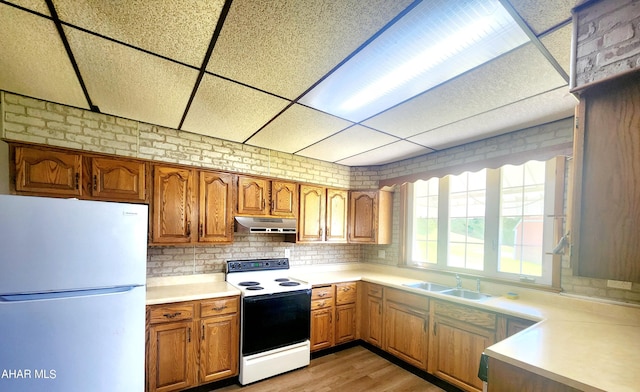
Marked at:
<point>235,70</point>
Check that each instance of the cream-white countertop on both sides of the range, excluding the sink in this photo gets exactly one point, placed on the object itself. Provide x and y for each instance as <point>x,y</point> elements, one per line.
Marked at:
<point>586,344</point>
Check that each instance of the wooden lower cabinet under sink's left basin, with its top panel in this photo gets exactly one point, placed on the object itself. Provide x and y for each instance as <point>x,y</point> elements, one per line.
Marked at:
<point>406,321</point>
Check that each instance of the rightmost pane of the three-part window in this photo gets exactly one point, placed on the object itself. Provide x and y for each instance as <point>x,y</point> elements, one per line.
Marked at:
<point>521,219</point>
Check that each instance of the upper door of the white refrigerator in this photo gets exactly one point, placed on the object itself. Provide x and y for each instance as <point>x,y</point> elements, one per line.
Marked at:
<point>53,244</point>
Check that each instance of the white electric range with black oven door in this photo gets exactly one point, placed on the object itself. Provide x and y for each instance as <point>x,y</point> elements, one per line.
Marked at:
<point>275,318</point>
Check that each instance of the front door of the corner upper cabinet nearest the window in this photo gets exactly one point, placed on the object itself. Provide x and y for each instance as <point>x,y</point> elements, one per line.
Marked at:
<point>363,217</point>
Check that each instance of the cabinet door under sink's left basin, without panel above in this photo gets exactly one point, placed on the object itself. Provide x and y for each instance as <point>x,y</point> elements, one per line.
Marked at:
<point>406,333</point>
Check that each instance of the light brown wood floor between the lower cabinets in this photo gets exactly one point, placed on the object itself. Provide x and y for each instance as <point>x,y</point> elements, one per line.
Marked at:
<point>354,369</point>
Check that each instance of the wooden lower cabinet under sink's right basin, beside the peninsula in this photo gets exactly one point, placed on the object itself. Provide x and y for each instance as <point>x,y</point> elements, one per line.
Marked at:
<point>459,336</point>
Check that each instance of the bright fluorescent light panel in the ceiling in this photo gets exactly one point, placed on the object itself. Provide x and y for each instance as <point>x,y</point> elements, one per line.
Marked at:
<point>436,41</point>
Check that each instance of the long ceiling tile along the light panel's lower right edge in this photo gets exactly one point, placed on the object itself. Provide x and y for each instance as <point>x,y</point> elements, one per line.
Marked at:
<point>517,75</point>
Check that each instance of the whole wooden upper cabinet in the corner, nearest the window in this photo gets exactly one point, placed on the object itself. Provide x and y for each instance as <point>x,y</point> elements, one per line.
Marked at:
<point>370,217</point>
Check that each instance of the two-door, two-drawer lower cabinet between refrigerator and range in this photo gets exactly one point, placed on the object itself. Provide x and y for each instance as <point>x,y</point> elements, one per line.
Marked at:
<point>185,334</point>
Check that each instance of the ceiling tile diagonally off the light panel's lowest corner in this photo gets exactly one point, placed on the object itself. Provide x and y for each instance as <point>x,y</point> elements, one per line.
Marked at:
<point>351,141</point>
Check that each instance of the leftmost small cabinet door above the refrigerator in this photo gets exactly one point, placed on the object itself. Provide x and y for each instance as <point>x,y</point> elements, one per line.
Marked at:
<point>48,172</point>
